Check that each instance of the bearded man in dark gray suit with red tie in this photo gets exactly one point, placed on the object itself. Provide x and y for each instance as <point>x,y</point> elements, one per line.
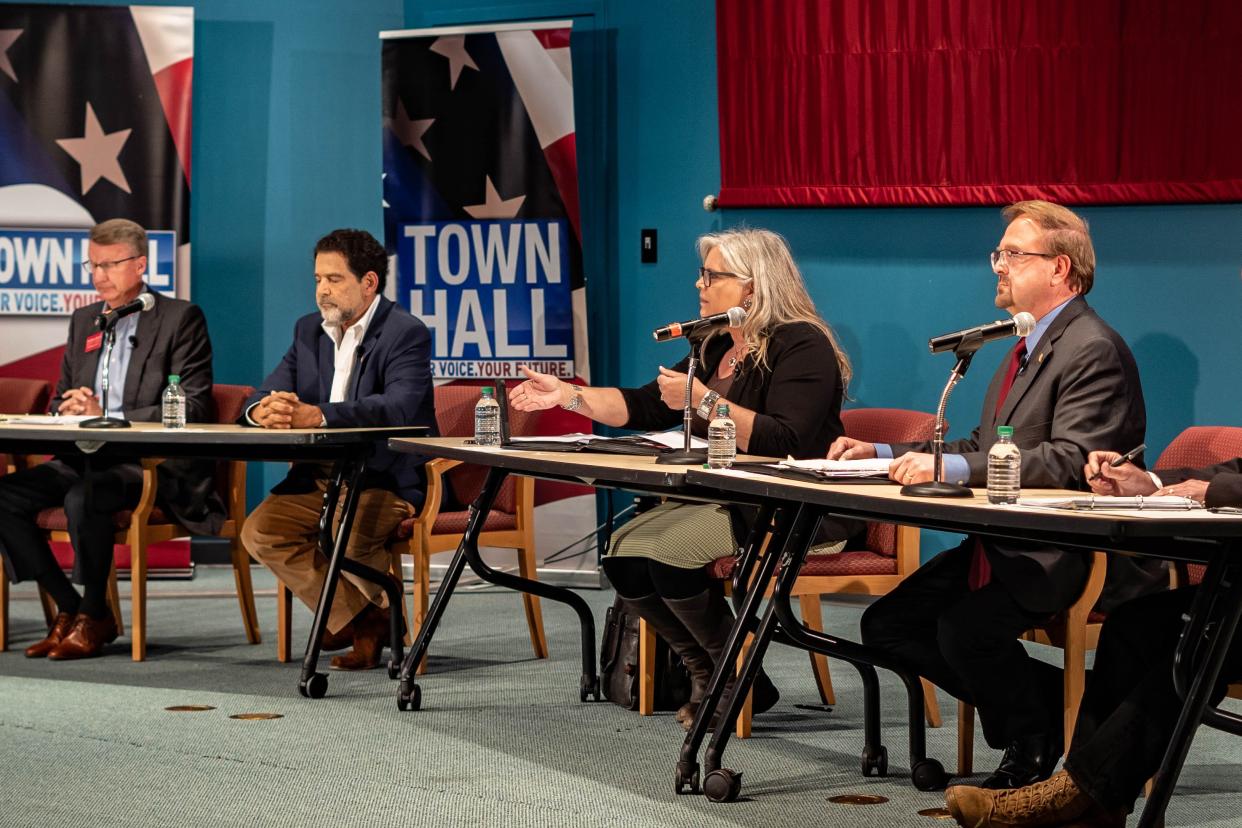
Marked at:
<point>1066,389</point>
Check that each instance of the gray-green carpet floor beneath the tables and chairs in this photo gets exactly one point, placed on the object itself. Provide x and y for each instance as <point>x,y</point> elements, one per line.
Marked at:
<point>501,740</point>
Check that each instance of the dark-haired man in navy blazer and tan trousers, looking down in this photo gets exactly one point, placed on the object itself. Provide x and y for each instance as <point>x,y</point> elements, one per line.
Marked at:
<point>361,362</point>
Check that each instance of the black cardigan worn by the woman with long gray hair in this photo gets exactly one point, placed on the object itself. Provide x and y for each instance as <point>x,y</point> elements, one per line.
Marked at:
<point>797,397</point>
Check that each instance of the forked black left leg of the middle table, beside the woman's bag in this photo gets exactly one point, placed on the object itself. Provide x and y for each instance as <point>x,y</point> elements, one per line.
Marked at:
<point>410,696</point>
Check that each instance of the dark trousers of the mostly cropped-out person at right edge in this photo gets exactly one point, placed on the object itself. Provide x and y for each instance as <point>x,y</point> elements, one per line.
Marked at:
<point>1131,708</point>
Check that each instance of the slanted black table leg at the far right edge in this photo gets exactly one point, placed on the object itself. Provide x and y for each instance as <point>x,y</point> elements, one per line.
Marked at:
<point>1215,616</point>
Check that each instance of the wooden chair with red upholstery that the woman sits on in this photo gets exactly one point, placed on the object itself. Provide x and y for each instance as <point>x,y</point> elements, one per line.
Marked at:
<point>891,554</point>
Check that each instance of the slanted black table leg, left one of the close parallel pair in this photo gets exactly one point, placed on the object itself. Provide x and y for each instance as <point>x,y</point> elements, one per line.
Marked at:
<point>687,774</point>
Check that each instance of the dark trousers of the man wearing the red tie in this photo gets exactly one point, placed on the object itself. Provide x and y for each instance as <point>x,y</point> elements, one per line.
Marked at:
<point>967,644</point>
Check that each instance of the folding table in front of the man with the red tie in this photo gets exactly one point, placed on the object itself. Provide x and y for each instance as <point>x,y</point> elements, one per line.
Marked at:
<point>1197,537</point>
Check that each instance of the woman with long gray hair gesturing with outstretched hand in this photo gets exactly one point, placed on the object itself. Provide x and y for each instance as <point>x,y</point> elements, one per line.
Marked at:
<point>784,377</point>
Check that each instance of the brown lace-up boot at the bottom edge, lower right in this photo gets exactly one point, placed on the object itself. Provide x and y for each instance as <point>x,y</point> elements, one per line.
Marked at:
<point>1054,803</point>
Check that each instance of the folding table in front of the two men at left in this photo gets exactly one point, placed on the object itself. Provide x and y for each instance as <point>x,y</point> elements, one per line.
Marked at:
<point>346,449</point>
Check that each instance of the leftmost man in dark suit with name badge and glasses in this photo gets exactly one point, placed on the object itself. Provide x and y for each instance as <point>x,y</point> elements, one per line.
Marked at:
<point>171,338</point>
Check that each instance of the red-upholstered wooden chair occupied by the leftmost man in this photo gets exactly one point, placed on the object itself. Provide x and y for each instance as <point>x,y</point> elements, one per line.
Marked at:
<point>147,524</point>
